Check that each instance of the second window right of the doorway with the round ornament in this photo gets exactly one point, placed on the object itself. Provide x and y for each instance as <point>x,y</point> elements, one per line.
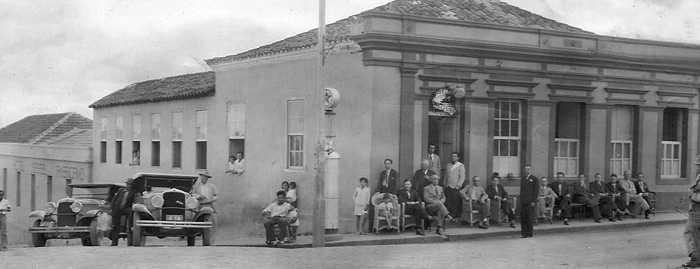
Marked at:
<point>566,141</point>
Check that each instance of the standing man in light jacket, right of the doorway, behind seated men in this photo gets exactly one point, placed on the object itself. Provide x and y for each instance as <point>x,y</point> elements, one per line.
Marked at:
<point>454,179</point>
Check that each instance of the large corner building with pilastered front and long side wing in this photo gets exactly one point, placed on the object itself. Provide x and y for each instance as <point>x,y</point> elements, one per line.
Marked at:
<point>535,92</point>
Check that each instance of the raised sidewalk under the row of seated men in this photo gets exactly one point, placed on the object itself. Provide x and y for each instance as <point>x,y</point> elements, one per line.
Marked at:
<point>454,233</point>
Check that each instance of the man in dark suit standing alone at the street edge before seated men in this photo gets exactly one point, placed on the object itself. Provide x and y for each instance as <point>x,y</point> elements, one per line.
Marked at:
<point>529,190</point>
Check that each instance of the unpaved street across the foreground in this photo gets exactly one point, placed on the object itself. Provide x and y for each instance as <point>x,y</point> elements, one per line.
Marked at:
<point>654,247</point>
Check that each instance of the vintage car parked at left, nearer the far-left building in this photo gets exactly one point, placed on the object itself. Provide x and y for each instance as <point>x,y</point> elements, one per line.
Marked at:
<point>74,216</point>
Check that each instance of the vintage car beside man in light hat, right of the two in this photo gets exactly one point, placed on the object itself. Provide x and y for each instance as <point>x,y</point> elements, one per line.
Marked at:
<point>165,208</point>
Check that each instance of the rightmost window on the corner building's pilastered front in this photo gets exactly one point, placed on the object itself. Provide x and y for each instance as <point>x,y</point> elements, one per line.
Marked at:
<point>673,143</point>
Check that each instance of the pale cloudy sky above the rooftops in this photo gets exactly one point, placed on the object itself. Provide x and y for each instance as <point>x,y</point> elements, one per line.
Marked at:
<point>61,56</point>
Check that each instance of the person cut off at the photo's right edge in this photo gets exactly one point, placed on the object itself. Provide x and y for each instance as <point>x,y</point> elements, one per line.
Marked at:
<point>691,233</point>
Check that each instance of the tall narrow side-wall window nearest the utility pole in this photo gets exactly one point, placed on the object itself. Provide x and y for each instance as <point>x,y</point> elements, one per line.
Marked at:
<point>295,133</point>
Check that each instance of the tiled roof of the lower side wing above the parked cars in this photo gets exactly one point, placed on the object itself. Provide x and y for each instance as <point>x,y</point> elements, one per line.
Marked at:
<point>158,90</point>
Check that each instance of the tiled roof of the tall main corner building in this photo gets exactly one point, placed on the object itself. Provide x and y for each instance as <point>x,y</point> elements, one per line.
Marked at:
<point>480,11</point>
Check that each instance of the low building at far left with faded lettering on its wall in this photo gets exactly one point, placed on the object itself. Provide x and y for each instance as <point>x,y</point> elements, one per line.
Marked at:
<point>39,156</point>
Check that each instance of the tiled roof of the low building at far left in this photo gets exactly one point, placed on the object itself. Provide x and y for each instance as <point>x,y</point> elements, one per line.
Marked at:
<point>38,128</point>
